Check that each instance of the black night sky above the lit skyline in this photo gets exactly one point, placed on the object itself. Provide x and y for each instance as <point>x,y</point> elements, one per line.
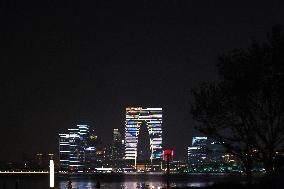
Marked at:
<point>68,63</point>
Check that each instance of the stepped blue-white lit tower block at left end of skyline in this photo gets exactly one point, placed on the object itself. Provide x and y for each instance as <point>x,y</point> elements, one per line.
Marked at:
<point>75,149</point>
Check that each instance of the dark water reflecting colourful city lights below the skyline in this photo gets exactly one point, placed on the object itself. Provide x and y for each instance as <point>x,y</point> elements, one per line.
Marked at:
<point>116,183</point>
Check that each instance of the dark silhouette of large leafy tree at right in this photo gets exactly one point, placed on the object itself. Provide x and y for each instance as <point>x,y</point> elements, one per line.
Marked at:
<point>245,108</point>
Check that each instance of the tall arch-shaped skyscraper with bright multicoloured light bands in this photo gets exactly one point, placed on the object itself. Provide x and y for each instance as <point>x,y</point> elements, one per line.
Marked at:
<point>152,118</point>
